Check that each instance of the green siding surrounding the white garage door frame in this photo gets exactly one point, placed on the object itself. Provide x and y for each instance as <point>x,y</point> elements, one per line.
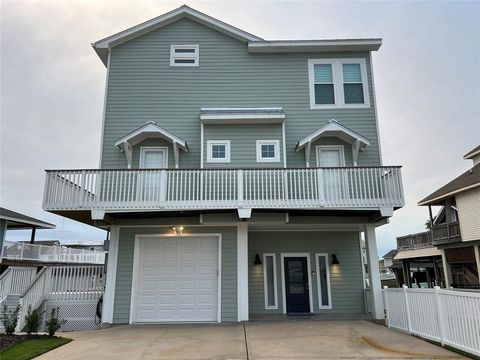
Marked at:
<point>123,286</point>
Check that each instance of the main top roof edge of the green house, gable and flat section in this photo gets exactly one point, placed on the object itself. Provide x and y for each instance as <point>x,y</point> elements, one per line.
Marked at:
<point>255,43</point>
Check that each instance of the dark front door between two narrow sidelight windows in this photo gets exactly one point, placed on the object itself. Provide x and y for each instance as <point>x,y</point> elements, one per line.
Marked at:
<point>296,285</point>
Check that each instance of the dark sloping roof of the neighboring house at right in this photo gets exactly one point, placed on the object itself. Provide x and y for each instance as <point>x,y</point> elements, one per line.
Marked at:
<point>468,180</point>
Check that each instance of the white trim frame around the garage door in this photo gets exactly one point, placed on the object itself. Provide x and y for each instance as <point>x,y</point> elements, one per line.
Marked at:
<point>136,263</point>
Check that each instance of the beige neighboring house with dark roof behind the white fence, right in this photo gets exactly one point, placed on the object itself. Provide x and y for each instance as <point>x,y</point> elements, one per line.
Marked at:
<point>448,254</point>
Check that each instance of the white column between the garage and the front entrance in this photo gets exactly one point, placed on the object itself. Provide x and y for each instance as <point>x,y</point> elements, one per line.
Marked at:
<point>242,271</point>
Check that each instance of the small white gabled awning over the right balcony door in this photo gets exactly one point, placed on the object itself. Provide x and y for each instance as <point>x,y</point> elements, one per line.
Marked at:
<point>334,129</point>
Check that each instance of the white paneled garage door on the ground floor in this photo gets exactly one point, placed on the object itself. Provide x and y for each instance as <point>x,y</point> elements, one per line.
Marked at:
<point>177,280</point>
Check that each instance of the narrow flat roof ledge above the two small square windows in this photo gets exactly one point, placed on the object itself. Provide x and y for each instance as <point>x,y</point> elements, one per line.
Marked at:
<point>242,115</point>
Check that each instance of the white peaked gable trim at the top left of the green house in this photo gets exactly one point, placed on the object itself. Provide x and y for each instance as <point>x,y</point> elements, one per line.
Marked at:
<point>168,18</point>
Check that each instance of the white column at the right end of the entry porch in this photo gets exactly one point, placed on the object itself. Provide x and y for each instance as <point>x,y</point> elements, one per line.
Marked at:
<point>374,273</point>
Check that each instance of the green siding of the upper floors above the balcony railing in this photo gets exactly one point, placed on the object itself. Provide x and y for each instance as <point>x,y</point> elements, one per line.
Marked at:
<point>142,87</point>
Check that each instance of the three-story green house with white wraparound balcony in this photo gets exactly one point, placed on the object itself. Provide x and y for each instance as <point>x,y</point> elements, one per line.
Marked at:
<point>236,174</point>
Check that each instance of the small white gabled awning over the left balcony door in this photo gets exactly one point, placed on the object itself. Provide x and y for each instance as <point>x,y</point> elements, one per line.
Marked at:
<point>148,131</point>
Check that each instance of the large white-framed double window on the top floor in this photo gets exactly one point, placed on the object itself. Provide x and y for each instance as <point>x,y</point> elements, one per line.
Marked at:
<point>338,83</point>
